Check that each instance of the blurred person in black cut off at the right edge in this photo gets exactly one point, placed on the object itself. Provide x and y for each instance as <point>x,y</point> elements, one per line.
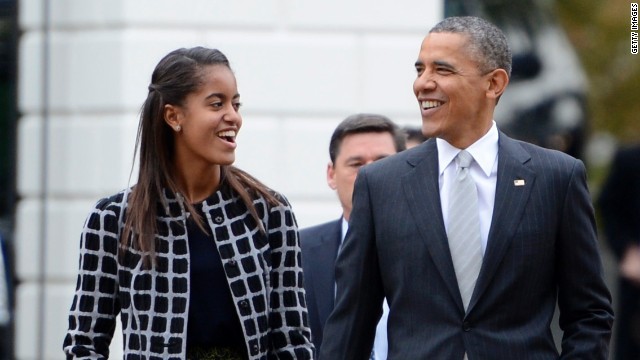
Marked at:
<point>619,204</point>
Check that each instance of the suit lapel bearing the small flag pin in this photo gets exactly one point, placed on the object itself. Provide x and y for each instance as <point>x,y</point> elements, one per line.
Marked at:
<point>513,187</point>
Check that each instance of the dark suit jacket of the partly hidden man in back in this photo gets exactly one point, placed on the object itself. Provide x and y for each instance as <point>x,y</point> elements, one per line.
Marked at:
<point>320,246</point>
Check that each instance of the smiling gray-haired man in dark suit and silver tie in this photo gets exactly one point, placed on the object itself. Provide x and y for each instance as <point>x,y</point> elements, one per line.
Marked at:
<point>533,219</point>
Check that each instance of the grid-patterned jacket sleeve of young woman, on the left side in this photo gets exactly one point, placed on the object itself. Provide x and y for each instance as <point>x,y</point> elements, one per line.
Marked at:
<point>95,305</point>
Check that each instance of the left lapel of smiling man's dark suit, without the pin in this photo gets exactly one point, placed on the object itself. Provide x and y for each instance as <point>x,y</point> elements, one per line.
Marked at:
<point>422,193</point>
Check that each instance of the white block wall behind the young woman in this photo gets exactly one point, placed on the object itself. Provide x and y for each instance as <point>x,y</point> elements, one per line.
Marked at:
<point>301,65</point>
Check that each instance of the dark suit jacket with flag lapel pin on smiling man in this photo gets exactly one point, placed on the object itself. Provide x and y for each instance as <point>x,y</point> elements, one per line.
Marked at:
<point>542,247</point>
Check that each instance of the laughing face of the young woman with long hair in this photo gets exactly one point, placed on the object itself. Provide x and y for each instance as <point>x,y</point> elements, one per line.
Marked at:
<point>209,121</point>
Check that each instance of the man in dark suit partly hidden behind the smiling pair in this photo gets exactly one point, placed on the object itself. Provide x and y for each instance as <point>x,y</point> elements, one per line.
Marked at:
<point>358,140</point>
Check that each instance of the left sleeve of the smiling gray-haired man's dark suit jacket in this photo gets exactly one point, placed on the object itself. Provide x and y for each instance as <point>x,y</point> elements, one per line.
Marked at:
<point>349,332</point>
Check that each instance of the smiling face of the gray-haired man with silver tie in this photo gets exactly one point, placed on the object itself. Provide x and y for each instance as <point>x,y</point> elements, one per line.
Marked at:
<point>455,98</point>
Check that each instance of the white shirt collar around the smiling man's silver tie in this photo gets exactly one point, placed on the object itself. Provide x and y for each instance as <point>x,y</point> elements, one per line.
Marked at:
<point>484,151</point>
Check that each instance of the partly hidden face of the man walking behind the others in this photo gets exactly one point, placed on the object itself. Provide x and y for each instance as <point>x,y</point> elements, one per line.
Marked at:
<point>355,151</point>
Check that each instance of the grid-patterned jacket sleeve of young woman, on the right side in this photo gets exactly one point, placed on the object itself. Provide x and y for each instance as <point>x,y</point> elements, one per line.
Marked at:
<point>288,319</point>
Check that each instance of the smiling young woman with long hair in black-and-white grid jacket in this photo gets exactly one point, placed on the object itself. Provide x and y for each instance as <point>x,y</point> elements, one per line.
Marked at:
<point>200,259</point>
